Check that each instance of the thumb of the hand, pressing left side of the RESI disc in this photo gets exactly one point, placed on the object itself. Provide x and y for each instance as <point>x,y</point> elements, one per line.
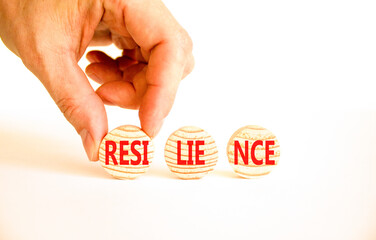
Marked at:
<point>81,106</point>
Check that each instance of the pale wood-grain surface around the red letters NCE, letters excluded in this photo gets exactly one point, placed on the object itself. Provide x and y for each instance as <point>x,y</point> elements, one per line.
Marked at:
<point>252,133</point>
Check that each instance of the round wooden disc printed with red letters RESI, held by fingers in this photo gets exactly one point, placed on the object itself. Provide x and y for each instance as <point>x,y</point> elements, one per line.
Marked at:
<point>126,152</point>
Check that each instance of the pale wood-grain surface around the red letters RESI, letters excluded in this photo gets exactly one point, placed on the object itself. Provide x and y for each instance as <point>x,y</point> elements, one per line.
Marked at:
<point>126,133</point>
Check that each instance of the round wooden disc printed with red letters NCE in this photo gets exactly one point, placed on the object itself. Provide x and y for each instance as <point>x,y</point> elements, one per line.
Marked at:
<point>253,151</point>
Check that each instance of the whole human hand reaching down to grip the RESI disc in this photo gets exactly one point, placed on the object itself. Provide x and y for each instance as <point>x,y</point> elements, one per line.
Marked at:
<point>50,36</point>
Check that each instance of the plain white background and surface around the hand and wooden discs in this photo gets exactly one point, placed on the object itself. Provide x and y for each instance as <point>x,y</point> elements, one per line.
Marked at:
<point>303,69</point>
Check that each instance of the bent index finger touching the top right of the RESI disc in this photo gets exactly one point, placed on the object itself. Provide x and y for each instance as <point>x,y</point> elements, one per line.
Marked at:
<point>167,47</point>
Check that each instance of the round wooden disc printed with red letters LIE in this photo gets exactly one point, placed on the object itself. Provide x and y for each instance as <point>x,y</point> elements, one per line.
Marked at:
<point>191,153</point>
